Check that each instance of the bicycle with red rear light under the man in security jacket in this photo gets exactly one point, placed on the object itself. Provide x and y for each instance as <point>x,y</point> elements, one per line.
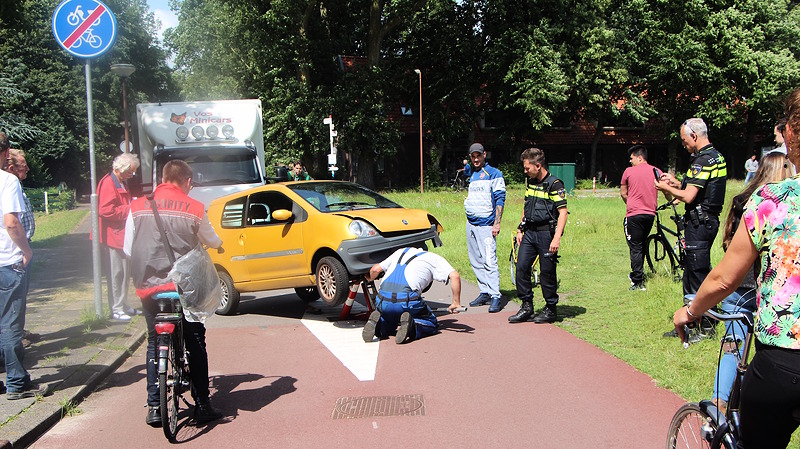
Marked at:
<point>173,361</point>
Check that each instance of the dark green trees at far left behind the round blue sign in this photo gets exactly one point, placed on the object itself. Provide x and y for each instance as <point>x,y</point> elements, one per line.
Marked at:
<point>52,87</point>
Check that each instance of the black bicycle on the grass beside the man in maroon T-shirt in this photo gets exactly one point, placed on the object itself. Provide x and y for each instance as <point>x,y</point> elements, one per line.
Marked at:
<point>661,256</point>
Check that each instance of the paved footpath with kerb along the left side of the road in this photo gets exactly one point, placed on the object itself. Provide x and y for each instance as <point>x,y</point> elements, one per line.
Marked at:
<point>73,353</point>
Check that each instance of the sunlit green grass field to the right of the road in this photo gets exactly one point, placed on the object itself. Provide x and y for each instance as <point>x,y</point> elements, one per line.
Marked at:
<point>595,303</point>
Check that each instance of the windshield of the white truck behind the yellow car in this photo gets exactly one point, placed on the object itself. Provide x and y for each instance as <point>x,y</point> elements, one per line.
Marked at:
<point>222,166</point>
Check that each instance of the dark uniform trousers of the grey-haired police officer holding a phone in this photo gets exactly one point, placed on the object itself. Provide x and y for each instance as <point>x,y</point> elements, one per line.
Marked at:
<point>699,238</point>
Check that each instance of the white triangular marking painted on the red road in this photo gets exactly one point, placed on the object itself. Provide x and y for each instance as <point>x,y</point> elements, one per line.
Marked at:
<point>345,343</point>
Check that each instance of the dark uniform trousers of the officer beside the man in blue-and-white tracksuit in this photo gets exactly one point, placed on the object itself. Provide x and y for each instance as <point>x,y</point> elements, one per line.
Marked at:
<point>537,243</point>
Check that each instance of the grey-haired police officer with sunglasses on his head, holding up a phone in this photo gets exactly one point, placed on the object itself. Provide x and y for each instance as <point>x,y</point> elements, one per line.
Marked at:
<point>703,193</point>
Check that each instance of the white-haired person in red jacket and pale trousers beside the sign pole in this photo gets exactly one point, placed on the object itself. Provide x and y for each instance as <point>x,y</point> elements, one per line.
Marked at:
<point>114,202</point>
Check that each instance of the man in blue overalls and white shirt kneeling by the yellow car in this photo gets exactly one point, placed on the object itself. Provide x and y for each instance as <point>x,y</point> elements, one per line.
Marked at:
<point>410,272</point>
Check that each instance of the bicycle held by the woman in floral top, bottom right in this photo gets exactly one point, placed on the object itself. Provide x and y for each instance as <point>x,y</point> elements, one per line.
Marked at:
<point>703,425</point>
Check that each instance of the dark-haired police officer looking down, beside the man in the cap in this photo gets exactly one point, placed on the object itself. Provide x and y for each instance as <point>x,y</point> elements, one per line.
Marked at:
<point>539,234</point>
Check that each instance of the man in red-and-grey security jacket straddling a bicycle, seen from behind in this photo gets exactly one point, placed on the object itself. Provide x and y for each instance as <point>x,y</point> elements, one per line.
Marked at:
<point>186,225</point>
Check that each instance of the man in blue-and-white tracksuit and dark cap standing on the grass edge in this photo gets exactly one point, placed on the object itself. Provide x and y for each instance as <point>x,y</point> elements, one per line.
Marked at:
<point>484,208</point>
